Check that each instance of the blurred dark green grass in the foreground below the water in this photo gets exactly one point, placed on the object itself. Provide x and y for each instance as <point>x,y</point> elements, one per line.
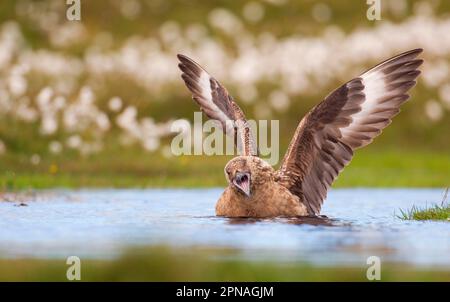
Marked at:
<point>203,264</point>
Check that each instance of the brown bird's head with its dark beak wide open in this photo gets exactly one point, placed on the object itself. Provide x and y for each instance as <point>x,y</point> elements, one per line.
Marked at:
<point>244,173</point>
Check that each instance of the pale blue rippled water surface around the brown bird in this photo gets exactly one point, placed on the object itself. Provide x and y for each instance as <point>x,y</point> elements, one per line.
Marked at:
<point>102,223</point>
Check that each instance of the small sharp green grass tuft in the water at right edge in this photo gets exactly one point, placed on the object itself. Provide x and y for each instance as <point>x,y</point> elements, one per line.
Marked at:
<point>434,212</point>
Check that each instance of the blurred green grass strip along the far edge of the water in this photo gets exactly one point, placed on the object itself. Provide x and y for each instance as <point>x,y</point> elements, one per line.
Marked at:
<point>134,168</point>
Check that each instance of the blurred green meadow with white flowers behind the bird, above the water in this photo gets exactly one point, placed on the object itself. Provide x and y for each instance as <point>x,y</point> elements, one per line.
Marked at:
<point>90,102</point>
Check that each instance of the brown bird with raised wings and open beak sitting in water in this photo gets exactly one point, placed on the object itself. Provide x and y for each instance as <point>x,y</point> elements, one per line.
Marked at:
<point>323,144</point>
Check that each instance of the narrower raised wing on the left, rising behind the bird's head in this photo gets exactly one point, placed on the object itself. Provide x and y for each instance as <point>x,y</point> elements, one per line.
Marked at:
<point>217,104</point>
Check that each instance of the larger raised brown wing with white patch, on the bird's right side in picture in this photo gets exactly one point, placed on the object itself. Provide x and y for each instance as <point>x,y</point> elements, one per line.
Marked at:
<point>347,119</point>
